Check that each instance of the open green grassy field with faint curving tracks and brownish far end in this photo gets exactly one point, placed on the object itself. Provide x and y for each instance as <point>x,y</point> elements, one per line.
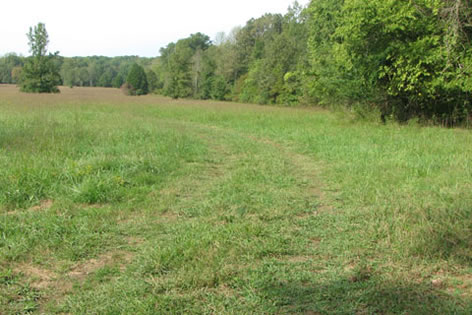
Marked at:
<point>147,205</point>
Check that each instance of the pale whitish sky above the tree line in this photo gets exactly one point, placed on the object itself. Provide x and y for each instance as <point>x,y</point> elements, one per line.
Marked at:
<point>117,28</point>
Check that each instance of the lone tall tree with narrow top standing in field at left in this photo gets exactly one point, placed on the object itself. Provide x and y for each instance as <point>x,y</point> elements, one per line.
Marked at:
<point>40,73</point>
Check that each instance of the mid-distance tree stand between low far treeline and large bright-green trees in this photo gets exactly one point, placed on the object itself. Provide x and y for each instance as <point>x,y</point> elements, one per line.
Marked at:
<point>248,65</point>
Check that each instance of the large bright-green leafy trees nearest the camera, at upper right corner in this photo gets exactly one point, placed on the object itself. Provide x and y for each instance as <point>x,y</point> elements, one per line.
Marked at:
<point>402,56</point>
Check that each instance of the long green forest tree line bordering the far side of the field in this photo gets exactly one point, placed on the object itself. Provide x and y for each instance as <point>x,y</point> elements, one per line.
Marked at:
<point>397,59</point>
